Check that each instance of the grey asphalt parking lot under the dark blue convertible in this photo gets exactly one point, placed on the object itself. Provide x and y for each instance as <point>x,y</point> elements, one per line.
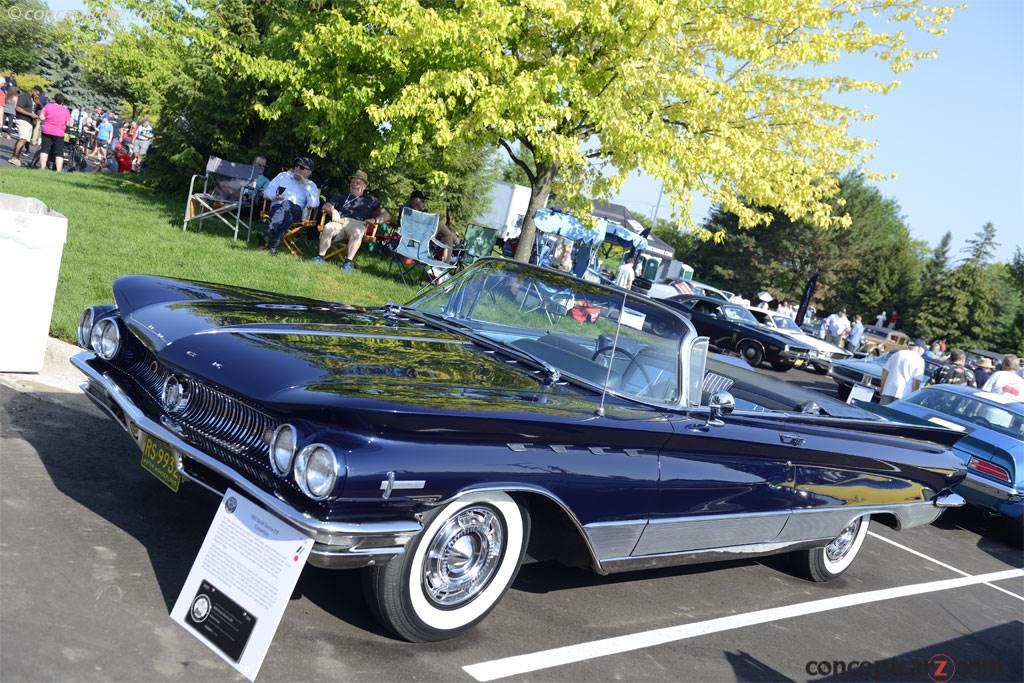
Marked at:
<point>94,552</point>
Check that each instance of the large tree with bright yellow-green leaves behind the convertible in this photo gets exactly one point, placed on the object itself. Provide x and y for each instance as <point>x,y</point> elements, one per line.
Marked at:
<point>735,99</point>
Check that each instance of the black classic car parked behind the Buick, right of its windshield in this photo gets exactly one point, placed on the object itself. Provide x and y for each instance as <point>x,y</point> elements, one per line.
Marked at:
<point>732,327</point>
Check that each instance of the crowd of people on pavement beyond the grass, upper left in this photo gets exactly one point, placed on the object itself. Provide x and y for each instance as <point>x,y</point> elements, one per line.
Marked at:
<point>45,126</point>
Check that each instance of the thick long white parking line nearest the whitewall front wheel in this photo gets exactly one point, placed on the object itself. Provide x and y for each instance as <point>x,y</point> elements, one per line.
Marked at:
<point>523,664</point>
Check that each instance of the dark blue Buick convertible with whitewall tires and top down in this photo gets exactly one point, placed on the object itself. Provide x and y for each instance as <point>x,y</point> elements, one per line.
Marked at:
<point>511,415</point>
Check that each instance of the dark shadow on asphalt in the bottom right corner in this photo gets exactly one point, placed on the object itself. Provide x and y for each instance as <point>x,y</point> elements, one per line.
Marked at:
<point>990,655</point>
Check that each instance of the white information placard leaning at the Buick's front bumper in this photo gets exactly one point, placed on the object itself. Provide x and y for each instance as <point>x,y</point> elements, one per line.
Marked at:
<point>241,582</point>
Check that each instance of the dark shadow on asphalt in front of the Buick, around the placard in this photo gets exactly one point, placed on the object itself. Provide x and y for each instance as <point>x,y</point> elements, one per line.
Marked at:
<point>91,460</point>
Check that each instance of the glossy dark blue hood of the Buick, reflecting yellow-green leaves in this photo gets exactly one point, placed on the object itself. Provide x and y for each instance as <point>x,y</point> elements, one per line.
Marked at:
<point>293,354</point>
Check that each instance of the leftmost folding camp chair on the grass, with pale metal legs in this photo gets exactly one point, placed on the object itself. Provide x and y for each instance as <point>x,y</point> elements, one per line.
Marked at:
<point>212,202</point>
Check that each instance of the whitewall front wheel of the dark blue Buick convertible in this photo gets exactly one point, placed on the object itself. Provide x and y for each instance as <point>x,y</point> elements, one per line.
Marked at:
<point>455,572</point>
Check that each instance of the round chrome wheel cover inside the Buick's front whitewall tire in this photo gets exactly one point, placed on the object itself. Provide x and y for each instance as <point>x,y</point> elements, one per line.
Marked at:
<point>463,557</point>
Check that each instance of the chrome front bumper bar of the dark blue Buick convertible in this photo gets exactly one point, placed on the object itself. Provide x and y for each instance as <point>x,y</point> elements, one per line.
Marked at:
<point>327,533</point>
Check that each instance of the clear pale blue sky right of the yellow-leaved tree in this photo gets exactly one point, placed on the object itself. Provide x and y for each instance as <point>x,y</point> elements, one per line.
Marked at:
<point>953,134</point>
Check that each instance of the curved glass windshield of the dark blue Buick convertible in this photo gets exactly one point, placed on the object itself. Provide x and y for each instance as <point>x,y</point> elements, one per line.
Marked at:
<point>571,325</point>
